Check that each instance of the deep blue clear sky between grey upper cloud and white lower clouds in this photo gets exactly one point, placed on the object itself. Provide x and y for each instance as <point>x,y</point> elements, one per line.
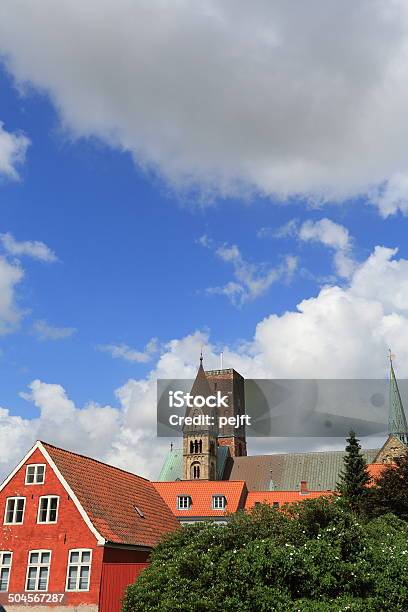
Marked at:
<point>130,267</point>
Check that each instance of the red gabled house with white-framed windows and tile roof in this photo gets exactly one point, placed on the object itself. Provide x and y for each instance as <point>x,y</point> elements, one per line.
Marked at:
<point>75,532</point>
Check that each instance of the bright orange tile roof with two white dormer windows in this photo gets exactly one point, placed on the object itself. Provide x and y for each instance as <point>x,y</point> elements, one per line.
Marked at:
<point>201,493</point>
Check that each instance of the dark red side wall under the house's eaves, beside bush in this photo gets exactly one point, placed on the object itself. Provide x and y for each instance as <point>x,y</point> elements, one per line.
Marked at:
<point>115,578</point>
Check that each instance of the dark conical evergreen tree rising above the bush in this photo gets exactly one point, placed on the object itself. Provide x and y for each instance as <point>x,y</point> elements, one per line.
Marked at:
<point>354,477</point>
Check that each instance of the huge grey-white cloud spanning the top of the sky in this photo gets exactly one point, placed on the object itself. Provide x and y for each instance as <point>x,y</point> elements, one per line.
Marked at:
<point>279,98</point>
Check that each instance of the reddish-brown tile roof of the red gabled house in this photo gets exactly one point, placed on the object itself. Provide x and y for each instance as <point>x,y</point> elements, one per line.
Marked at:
<point>110,496</point>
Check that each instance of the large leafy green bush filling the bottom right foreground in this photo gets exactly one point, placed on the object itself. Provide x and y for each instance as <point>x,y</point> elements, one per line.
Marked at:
<point>317,556</point>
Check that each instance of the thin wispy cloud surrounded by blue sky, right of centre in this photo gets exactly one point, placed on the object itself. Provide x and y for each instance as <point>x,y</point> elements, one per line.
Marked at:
<point>251,280</point>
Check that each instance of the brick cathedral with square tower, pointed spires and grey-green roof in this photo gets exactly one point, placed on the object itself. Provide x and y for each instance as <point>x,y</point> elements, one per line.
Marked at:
<point>211,453</point>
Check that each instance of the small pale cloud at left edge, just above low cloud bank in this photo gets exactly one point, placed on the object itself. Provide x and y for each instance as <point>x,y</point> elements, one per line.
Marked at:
<point>10,314</point>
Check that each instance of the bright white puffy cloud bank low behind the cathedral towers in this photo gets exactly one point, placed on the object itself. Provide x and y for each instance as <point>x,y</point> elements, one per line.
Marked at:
<point>342,332</point>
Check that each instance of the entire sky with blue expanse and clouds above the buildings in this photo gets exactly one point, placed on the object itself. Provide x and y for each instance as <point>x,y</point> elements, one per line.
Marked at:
<point>176,176</point>
